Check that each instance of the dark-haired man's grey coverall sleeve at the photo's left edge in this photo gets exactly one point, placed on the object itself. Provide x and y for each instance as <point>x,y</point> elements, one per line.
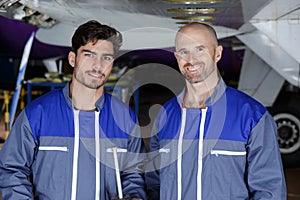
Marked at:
<point>16,158</point>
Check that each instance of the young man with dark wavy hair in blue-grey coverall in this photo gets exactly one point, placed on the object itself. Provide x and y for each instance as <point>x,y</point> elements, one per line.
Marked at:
<point>62,144</point>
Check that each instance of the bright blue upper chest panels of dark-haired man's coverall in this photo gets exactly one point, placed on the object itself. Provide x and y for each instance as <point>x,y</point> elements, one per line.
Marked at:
<point>52,105</point>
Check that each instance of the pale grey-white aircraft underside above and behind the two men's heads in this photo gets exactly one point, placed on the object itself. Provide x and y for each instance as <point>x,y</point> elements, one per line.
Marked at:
<point>268,29</point>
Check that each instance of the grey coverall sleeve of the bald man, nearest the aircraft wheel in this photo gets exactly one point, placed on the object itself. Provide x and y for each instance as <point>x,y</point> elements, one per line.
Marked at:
<point>265,171</point>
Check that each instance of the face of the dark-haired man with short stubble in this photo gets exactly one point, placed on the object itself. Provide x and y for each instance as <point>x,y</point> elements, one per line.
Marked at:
<point>93,63</point>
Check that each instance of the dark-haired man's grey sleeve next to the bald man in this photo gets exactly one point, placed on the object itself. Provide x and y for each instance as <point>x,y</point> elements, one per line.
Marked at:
<point>133,182</point>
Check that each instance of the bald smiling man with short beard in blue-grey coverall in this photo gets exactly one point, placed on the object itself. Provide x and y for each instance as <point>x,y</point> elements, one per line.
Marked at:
<point>212,142</point>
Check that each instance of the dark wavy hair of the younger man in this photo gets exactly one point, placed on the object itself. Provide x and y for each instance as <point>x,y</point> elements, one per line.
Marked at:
<point>92,31</point>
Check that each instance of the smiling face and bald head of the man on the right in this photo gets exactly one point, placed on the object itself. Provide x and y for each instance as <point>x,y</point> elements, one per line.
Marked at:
<point>197,54</point>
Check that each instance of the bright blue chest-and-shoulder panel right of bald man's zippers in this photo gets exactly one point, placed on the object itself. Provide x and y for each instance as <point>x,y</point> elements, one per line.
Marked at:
<point>235,112</point>
